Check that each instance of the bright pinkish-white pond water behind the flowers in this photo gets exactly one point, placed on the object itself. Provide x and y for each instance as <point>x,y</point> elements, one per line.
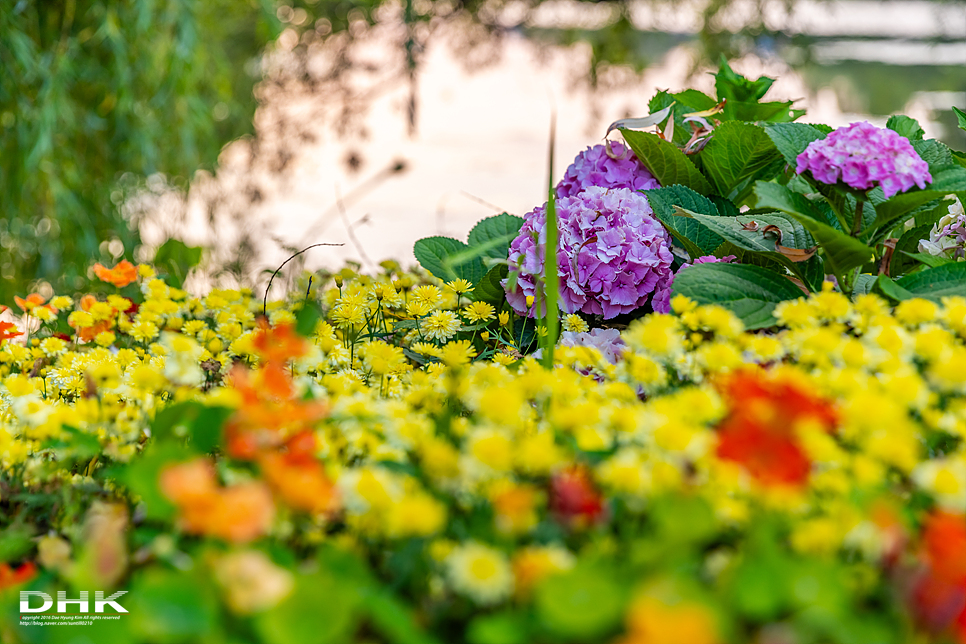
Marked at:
<point>479,144</point>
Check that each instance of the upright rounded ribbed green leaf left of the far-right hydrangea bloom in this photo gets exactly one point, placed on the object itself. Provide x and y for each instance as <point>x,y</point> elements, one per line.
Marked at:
<point>737,155</point>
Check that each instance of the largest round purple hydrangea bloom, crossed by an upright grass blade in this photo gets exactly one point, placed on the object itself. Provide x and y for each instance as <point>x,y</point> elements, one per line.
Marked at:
<point>611,254</point>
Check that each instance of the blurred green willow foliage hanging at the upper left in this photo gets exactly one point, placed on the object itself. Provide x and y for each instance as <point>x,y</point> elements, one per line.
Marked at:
<point>93,89</point>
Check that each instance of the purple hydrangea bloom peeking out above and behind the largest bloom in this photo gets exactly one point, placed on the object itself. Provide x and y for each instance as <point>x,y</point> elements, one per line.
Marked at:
<point>593,167</point>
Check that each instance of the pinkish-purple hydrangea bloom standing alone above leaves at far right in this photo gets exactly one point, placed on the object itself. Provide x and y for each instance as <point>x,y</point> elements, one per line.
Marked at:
<point>862,155</point>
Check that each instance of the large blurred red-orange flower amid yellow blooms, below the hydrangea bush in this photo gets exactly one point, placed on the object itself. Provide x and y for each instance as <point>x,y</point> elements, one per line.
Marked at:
<point>760,430</point>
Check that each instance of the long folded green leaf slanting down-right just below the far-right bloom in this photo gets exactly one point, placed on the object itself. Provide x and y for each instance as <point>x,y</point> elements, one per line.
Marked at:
<point>841,251</point>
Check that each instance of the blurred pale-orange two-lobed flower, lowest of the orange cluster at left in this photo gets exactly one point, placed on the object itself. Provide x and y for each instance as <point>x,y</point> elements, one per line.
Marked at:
<point>237,513</point>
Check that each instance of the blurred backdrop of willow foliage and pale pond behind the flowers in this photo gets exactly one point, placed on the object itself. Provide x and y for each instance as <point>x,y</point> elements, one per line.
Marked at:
<point>254,128</point>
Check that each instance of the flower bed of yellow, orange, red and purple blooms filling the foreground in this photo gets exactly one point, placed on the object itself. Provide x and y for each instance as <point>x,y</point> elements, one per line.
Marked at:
<point>721,449</point>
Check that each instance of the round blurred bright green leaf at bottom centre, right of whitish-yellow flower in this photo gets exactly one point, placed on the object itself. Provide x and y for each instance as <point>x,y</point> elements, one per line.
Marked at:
<point>581,604</point>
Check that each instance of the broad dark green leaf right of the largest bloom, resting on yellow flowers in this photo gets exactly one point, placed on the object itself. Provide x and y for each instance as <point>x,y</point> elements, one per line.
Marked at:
<point>750,292</point>
